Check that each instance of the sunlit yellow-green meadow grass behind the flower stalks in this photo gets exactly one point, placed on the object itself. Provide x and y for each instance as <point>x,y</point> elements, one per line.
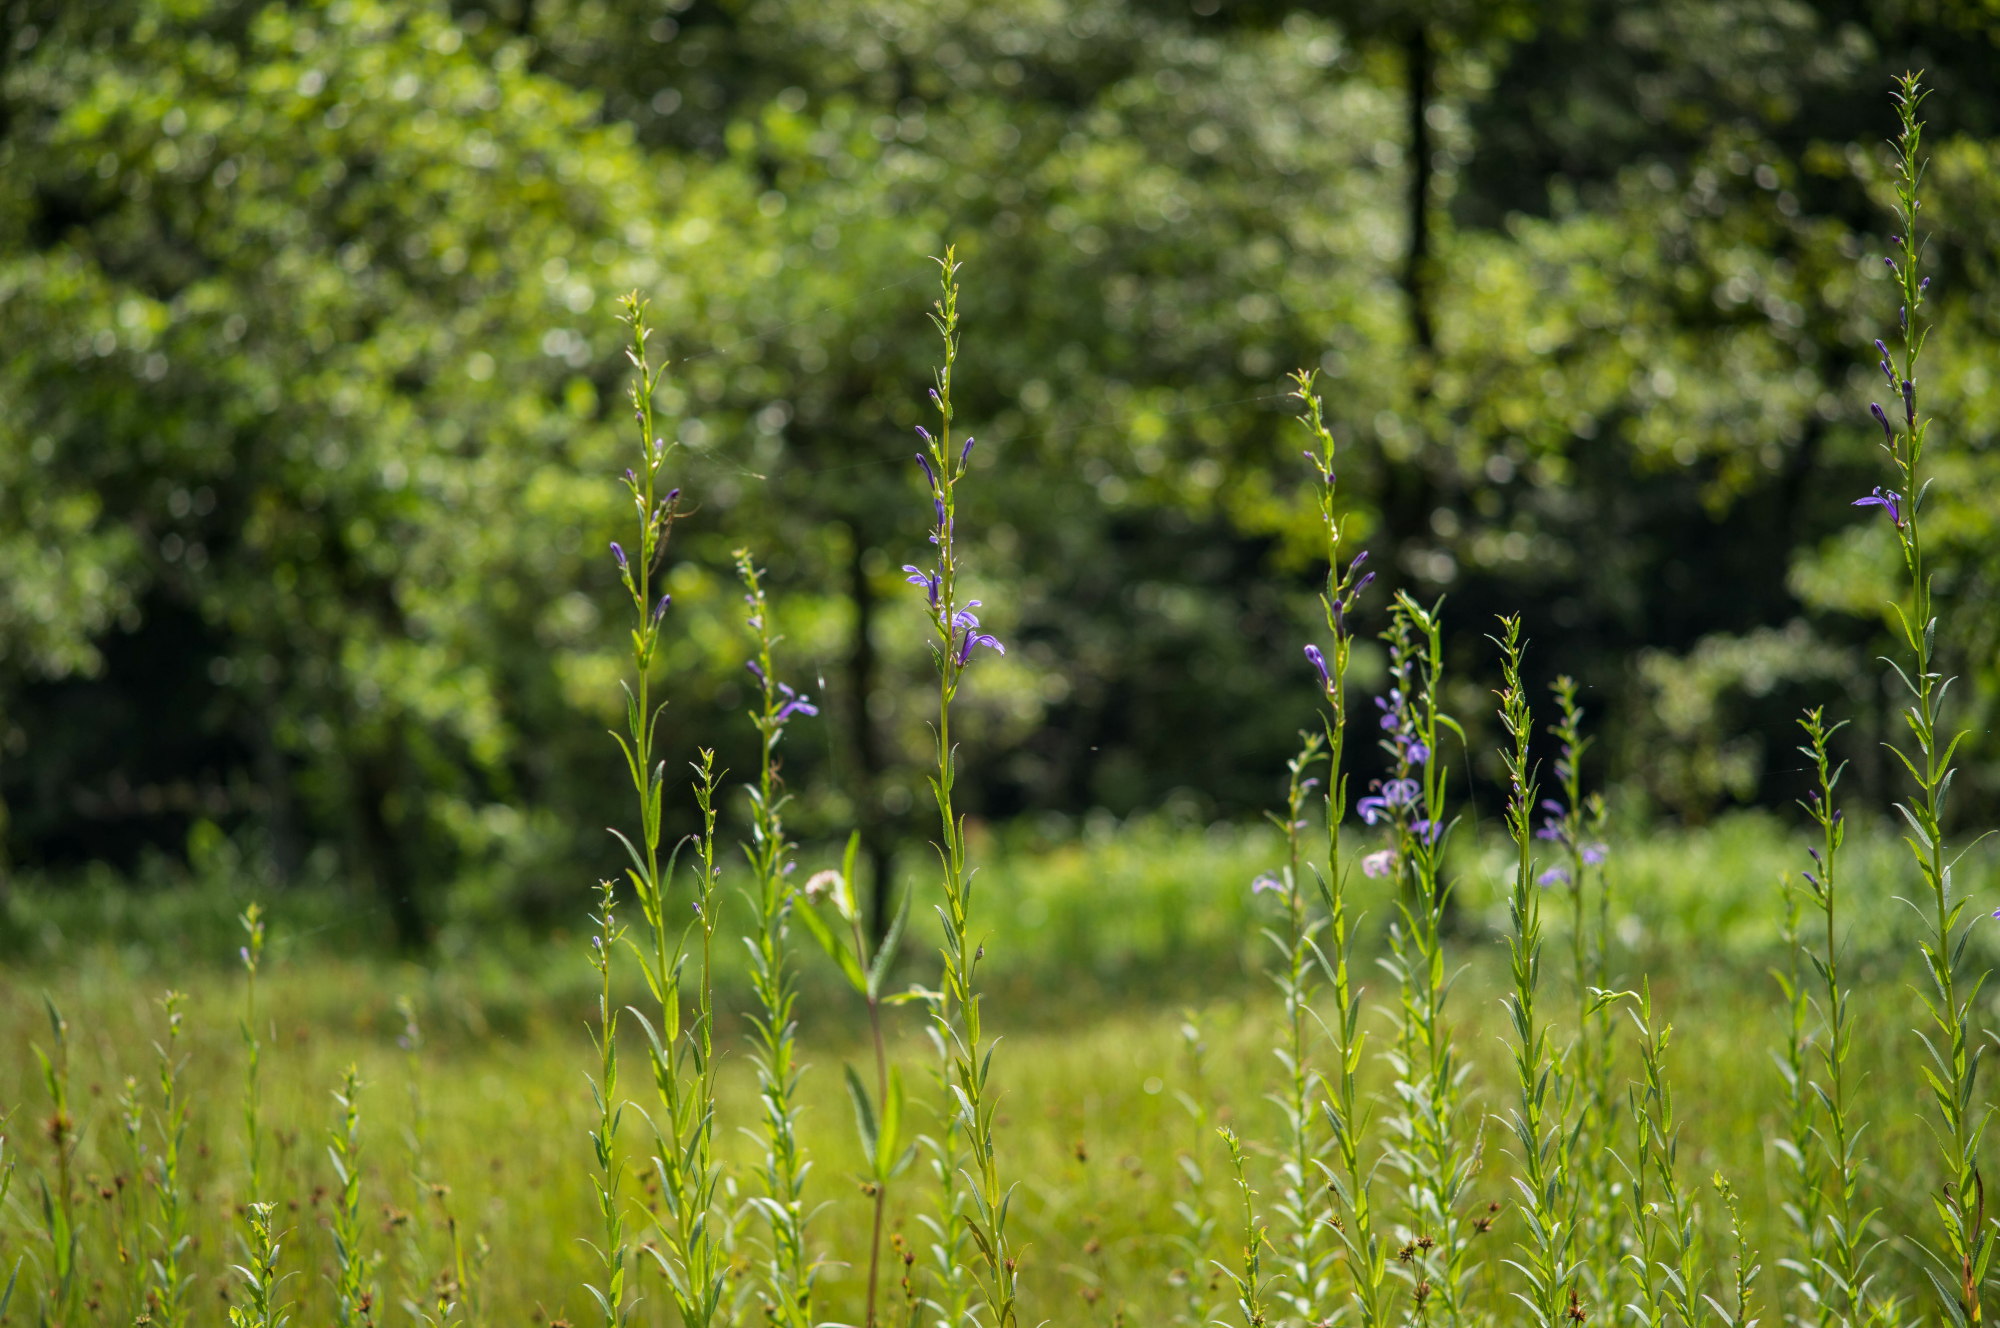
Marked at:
<point>1097,945</point>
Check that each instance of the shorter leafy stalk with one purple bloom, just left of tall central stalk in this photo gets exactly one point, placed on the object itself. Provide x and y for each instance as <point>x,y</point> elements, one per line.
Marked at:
<point>789,1269</point>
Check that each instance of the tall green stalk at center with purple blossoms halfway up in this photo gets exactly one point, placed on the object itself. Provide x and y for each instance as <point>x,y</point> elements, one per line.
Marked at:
<point>955,639</point>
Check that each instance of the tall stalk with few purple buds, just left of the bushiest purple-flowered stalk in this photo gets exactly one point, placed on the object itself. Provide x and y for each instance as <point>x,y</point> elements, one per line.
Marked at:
<point>1347,1175</point>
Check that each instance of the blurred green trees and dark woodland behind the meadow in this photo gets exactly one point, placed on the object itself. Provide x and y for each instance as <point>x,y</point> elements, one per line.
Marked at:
<point>311,397</point>
